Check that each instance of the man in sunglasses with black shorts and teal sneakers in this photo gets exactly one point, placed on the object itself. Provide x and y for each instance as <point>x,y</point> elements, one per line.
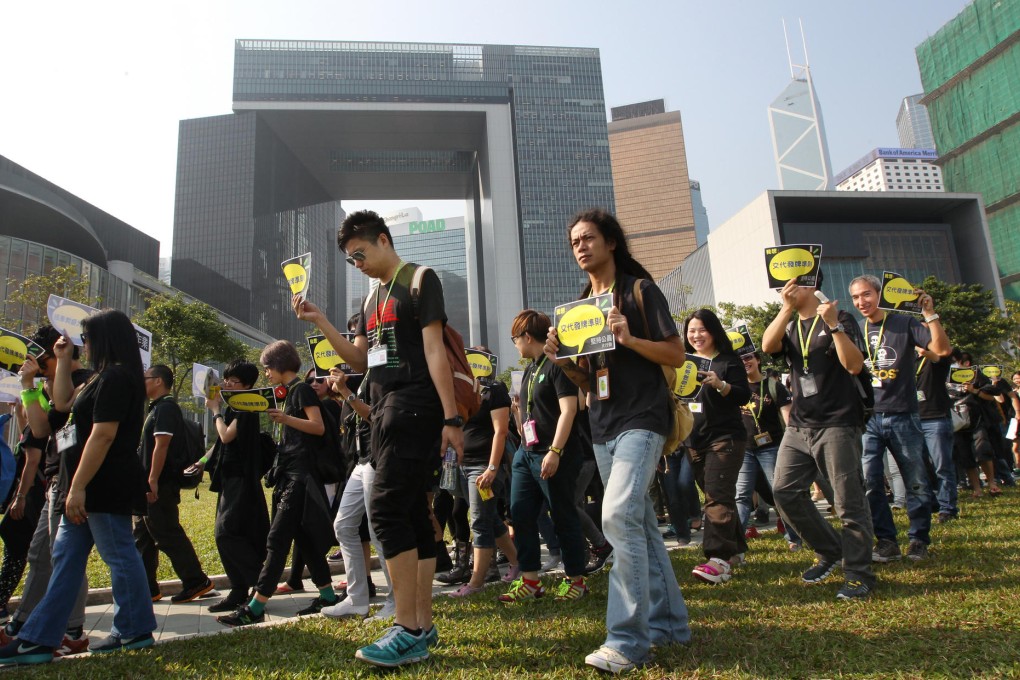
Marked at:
<point>415,417</point>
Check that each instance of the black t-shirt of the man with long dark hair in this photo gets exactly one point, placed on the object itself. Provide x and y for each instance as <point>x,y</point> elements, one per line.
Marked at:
<point>638,391</point>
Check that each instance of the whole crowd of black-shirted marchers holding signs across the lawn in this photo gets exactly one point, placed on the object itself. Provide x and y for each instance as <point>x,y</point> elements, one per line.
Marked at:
<point>868,416</point>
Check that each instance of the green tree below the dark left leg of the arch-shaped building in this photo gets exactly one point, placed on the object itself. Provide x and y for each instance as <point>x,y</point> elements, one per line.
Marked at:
<point>185,333</point>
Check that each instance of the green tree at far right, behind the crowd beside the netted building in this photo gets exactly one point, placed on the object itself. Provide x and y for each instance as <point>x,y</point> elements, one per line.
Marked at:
<point>973,320</point>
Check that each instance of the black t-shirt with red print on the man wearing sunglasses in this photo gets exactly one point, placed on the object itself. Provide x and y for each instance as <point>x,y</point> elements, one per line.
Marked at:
<point>391,313</point>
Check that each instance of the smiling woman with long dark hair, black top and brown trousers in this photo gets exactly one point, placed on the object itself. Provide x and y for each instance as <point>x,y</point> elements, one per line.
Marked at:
<point>718,444</point>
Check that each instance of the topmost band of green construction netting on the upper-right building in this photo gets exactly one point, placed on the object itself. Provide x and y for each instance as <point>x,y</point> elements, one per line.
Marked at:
<point>982,26</point>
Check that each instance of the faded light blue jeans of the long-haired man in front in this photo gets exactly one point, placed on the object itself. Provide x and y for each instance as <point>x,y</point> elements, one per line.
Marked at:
<point>645,605</point>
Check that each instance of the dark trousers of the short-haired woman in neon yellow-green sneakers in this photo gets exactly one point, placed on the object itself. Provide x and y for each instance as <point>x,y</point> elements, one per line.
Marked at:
<point>526,502</point>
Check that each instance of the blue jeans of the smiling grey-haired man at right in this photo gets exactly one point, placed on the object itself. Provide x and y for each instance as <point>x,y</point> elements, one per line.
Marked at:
<point>901,434</point>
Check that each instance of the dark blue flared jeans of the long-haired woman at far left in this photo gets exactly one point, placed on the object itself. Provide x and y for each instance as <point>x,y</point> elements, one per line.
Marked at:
<point>112,535</point>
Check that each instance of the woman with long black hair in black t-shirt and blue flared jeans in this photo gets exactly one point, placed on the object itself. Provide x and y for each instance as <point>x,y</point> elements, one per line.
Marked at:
<point>103,485</point>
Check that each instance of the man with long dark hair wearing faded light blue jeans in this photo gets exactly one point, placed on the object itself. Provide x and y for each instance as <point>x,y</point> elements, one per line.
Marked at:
<point>630,419</point>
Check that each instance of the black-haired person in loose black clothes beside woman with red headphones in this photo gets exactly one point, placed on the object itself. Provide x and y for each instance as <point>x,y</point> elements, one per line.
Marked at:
<point>237,469</point>
